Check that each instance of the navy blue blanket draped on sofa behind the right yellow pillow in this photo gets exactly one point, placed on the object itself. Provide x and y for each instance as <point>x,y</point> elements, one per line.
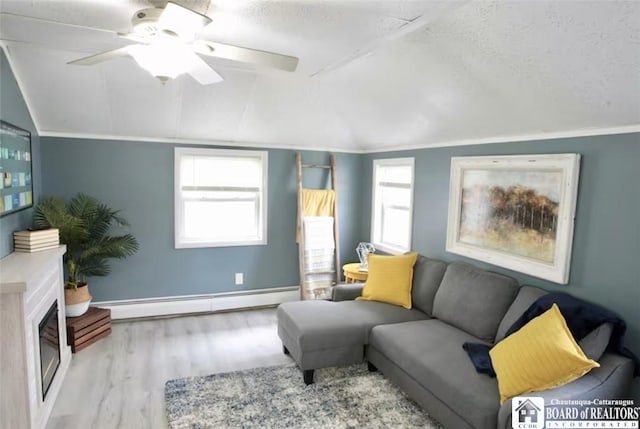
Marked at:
<point>581,316</point>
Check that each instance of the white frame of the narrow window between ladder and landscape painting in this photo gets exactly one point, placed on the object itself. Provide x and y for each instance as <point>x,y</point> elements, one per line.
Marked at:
<point>376,239</point>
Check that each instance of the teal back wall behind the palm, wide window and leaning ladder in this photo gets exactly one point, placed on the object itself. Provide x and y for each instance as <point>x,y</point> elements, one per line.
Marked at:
<point>137,177</point>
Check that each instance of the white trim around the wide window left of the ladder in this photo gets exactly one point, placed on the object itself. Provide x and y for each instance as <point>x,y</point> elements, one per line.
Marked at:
<point>178,213</point>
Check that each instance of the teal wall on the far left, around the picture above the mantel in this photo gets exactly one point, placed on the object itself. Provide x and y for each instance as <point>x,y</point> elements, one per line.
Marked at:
<point>13,109</point>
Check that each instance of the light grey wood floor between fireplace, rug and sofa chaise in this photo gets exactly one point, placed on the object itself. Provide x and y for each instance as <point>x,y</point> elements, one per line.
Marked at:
<point>118,382</point>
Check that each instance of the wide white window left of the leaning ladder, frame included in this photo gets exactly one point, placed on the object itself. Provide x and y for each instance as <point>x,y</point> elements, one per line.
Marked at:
<point>220,197</point>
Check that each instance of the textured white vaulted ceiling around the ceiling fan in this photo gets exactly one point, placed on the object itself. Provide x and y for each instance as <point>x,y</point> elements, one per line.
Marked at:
<point>373,75</point>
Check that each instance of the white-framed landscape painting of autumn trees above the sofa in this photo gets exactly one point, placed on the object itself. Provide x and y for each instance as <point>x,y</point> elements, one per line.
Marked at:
<point>516,212</point>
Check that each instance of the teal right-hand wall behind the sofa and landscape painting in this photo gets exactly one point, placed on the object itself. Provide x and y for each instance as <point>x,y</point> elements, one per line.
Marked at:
<point>606,247</point>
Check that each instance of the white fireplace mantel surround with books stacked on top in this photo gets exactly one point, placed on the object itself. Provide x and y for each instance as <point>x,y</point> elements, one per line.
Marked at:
<point>29,284</point>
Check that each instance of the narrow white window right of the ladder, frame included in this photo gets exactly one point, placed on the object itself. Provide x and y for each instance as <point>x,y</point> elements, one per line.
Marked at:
<point>392,204</point>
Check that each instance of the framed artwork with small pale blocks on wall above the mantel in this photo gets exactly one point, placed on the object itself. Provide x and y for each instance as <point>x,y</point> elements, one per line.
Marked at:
<point>16,189</point>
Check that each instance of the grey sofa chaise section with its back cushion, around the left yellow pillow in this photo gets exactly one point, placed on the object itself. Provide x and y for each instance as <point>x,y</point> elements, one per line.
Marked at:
<point>319,334</point>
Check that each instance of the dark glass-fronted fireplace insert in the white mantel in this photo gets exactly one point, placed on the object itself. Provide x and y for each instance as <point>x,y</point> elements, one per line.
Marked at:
<point>49,347</point>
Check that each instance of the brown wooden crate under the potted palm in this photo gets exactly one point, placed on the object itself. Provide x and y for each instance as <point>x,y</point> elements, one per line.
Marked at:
<point>88,328</point>
